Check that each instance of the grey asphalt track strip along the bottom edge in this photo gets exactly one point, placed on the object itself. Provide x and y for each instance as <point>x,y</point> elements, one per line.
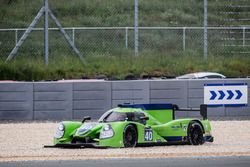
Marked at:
<point>235,161</point>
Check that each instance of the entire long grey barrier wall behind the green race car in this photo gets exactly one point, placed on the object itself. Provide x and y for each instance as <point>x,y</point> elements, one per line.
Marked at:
<point>74,100</point>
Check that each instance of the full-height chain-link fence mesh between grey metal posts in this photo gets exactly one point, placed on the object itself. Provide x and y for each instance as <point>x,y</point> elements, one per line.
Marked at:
<point>106,27</point>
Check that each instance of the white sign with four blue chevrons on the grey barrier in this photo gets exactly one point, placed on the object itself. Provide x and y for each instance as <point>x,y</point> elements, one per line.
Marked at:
<point>227,94</point>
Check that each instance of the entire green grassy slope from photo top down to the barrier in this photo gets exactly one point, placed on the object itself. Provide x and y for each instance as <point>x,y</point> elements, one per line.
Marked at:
<point>161,52</point>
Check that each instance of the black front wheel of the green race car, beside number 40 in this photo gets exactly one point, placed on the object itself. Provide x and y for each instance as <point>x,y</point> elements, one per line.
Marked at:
<point>130,136</point>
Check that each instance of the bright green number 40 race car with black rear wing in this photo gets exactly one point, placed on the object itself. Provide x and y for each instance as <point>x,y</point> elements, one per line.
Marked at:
<point>135,125</point>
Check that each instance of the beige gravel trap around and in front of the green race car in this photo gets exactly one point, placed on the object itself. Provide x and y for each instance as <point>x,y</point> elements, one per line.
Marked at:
<point>24,142</point>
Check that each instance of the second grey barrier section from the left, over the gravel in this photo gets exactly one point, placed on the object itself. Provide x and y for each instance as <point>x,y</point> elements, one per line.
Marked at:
<point>52,100</point>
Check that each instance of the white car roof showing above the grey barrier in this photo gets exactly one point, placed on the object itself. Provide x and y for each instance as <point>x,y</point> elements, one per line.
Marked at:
<point>202,75</point>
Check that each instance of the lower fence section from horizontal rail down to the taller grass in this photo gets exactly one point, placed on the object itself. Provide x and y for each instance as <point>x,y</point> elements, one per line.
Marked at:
<point>120,40</point>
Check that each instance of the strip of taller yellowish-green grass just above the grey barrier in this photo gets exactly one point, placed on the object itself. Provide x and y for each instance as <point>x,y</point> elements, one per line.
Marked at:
<point>118,67</point>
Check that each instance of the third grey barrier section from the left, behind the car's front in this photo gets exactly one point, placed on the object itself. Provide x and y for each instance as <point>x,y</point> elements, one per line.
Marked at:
<point>91,98</point>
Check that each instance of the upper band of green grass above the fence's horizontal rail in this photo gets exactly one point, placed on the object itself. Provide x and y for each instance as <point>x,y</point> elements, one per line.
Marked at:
<point>114,12</point>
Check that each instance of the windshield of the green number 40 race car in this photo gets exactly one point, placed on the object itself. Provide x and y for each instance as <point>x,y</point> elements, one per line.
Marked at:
<point>113,117</point>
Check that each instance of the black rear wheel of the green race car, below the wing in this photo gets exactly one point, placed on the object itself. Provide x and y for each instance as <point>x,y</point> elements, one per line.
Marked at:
<point>195,134</point>
